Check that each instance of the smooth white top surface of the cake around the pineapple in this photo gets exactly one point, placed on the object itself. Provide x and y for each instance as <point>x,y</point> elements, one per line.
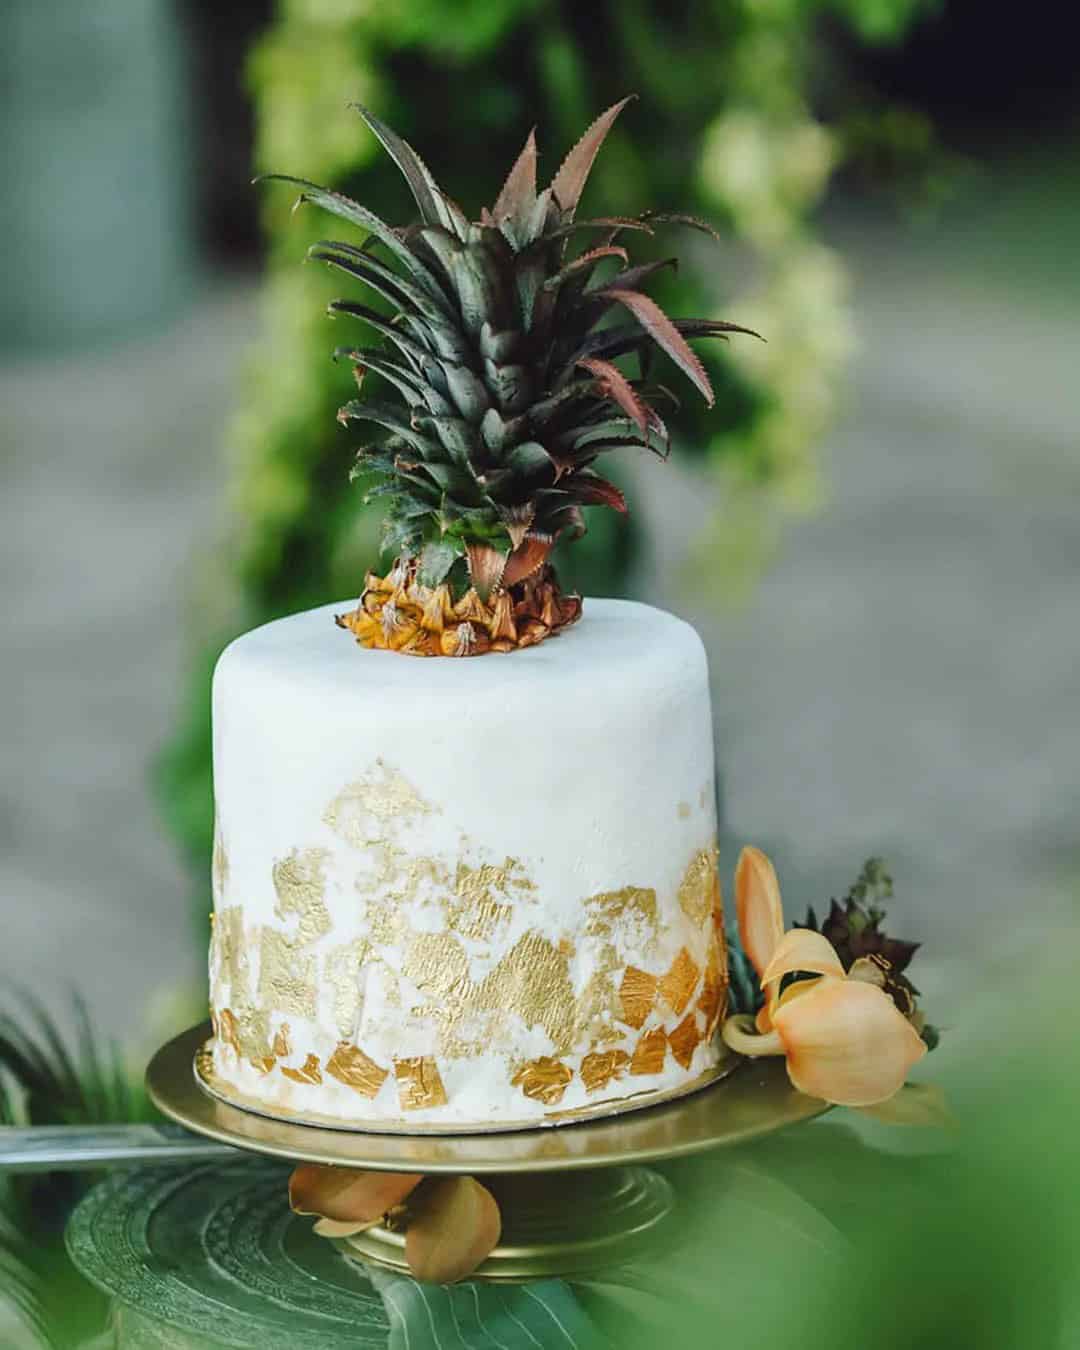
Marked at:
<point>612,635</point>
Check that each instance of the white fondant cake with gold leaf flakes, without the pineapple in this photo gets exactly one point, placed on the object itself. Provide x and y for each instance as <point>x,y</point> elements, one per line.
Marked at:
<point>465,893</point>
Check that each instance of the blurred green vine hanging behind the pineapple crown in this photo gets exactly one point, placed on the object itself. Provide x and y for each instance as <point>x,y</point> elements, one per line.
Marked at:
<point>724,128</point>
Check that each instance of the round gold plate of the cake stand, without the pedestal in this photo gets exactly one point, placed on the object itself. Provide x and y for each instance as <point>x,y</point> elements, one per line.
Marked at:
<point>754,1100</point>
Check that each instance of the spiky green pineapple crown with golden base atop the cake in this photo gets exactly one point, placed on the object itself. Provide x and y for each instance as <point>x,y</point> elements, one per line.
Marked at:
<point>504,358</point>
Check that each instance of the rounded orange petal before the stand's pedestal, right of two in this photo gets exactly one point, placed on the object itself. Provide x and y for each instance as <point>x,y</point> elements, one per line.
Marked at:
<point>454,1229</point>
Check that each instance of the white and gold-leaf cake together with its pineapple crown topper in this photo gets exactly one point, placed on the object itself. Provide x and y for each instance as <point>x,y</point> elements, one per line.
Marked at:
<point>465,873</point>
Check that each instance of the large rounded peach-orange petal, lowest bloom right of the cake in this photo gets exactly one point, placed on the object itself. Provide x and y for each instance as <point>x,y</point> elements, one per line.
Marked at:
<point>847,1043</point>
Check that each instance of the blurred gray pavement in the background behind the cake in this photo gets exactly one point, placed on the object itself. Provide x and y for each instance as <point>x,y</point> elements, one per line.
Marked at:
<point>904,682</point>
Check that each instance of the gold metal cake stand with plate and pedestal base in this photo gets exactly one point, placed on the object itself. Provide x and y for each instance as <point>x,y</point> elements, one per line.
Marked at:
<point>574,1198</point>
